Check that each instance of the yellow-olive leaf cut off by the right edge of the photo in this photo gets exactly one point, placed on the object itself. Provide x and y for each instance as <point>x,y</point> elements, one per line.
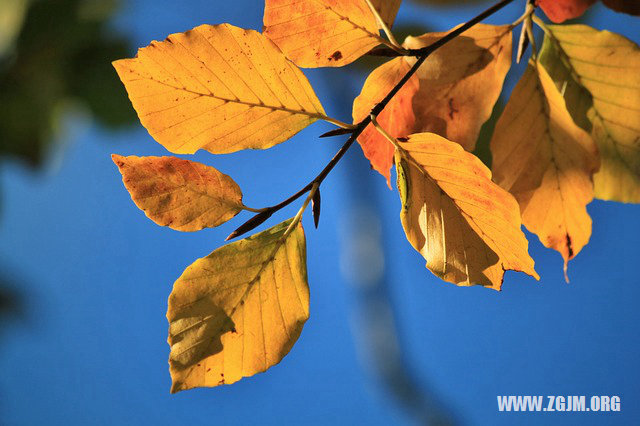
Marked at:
<point>606,64</point>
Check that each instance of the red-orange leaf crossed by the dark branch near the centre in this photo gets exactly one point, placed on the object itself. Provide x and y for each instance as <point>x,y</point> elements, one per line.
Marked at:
<point>397,118</point>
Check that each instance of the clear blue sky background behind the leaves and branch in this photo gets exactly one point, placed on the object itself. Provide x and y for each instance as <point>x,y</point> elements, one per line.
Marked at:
<point>95,273</point>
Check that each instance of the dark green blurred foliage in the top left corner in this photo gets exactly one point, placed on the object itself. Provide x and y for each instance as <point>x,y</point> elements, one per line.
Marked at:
<point>62,55</point>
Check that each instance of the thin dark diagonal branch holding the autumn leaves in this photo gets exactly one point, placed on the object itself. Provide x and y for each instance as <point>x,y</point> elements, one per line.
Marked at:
<point>421,55</point>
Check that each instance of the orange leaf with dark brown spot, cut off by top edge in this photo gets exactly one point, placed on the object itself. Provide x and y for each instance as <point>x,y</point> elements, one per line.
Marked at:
<point>321,33</point>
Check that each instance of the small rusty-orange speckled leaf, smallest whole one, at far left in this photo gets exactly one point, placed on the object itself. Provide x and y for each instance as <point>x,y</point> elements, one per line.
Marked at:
<point>183,195</point>
